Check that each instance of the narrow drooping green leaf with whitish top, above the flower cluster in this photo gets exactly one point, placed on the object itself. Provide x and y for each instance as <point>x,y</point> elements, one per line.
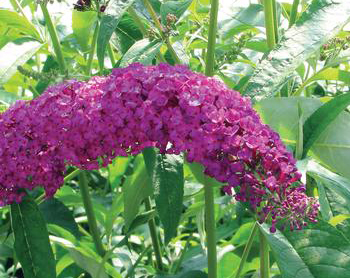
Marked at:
<point>109,22</point>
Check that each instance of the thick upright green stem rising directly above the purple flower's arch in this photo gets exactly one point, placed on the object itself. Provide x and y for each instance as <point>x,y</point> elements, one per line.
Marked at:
<point>213,23</point>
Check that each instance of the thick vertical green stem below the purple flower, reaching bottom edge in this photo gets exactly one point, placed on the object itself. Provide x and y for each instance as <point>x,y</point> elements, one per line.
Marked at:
<point>210,230</point>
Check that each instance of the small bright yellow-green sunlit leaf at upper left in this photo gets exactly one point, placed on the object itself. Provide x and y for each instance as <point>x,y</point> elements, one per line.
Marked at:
<point>82,24</point>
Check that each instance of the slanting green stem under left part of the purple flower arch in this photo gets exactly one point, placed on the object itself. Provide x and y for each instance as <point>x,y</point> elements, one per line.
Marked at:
<point>85,194</point>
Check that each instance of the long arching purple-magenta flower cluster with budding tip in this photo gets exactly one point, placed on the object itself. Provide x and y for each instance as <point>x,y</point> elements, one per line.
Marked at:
<point>87,124</point>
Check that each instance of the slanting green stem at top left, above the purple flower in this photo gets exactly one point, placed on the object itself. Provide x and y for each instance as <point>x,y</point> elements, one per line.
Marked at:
<point>54,38</point>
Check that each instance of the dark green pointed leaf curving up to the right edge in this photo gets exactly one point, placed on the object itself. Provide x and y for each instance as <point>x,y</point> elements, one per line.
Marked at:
<point>321,118</point>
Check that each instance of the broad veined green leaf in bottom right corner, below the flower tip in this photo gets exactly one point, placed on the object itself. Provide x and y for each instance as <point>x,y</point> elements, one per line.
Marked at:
<point>316,251</point>
